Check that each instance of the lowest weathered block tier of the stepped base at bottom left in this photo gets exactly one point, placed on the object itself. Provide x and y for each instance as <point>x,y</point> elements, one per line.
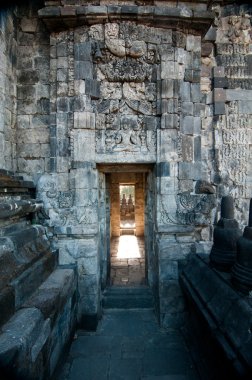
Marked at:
<point>40,329</point>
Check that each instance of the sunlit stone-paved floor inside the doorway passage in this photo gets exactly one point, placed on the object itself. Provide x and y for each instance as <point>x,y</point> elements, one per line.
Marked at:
<point>127,261</point>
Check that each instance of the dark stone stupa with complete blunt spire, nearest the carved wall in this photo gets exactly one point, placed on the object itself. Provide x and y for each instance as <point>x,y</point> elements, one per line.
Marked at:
<point>226,234</point>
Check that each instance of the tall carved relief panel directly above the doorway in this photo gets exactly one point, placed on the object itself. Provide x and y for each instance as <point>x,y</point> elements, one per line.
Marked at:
<point>128,90</point>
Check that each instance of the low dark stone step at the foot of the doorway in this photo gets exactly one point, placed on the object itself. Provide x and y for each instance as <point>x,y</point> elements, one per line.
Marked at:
<point>117,297</point>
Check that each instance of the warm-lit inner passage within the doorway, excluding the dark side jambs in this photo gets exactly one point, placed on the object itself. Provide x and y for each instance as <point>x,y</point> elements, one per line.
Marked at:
<point>127,251</point>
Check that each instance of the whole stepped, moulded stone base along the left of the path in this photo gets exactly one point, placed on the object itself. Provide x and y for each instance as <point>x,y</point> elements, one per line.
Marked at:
<point>38,300</point>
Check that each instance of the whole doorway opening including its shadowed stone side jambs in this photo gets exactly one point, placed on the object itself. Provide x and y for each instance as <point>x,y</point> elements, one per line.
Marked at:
<point>124,257</point>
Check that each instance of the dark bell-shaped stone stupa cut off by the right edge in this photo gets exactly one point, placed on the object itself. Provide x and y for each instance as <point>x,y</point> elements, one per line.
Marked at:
<point>242,270</point>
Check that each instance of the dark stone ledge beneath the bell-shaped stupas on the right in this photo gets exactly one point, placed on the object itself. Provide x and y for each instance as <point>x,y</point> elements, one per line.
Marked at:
<point>226,313</point>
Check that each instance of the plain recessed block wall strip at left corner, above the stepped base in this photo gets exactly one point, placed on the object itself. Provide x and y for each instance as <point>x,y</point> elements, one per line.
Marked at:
<point>33,92</point>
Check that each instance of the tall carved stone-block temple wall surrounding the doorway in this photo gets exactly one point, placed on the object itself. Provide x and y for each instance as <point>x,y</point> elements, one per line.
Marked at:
<point>160,83</point>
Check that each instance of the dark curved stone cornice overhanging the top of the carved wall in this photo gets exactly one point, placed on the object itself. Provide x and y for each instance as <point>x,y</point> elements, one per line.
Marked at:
<point>58,17</point>
